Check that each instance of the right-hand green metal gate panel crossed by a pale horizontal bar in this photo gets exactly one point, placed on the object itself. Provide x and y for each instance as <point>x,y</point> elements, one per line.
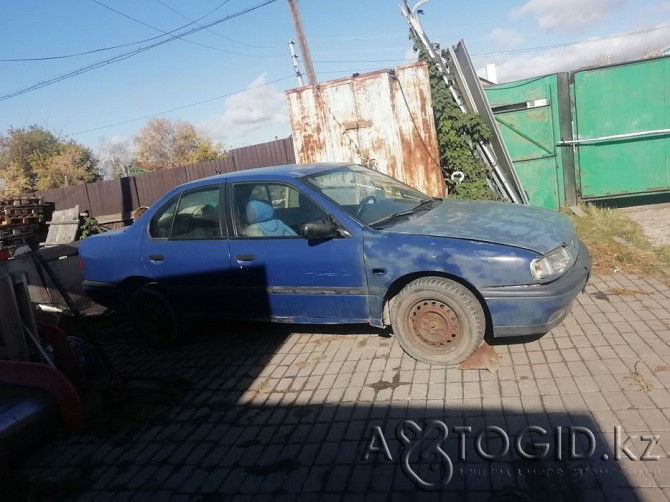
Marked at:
<point>622,135</point>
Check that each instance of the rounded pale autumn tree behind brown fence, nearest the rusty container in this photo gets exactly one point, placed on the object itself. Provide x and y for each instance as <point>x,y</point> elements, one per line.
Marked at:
<point>164,143</point>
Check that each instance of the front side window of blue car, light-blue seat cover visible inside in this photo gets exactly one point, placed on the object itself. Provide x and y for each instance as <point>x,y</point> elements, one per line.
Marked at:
<point>271,210</point>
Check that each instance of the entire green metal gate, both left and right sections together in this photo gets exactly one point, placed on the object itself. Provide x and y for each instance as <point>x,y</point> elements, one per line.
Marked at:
<point>602,133</point>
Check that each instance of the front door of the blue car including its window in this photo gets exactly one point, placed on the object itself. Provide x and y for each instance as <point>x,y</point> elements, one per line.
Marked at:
<point>283,276</point>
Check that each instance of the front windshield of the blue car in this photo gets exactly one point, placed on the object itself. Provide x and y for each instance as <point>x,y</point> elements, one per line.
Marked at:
<point>370,196</point>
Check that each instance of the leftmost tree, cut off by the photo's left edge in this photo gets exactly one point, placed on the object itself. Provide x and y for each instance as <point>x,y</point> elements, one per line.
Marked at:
<point>17,150</point>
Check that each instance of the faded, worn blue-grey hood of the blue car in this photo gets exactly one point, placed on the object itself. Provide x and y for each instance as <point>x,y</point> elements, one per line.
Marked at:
<point>533,228</point>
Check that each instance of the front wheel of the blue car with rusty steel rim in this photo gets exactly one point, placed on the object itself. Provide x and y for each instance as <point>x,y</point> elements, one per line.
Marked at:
<point>438,321</point>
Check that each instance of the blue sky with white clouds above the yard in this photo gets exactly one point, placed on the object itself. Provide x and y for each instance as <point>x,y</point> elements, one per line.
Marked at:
<point>96,71</point>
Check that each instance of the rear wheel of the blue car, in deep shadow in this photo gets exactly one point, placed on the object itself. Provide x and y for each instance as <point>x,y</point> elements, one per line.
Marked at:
<point>153,317</point>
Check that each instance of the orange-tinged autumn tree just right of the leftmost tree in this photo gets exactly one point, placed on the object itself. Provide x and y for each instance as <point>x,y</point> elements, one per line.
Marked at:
<point>71,164</point>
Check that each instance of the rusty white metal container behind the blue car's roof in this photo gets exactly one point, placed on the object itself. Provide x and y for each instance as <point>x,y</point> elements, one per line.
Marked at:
<point>382,119</point>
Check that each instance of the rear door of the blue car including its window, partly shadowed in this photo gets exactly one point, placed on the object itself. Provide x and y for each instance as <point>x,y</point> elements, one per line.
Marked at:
<point>185,250</point>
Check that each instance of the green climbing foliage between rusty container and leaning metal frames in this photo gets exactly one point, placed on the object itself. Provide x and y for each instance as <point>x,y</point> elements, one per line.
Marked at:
<point>457,134</point>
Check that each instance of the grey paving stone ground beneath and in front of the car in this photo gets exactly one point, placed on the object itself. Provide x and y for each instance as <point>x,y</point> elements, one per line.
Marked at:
<point>271,414</point>
